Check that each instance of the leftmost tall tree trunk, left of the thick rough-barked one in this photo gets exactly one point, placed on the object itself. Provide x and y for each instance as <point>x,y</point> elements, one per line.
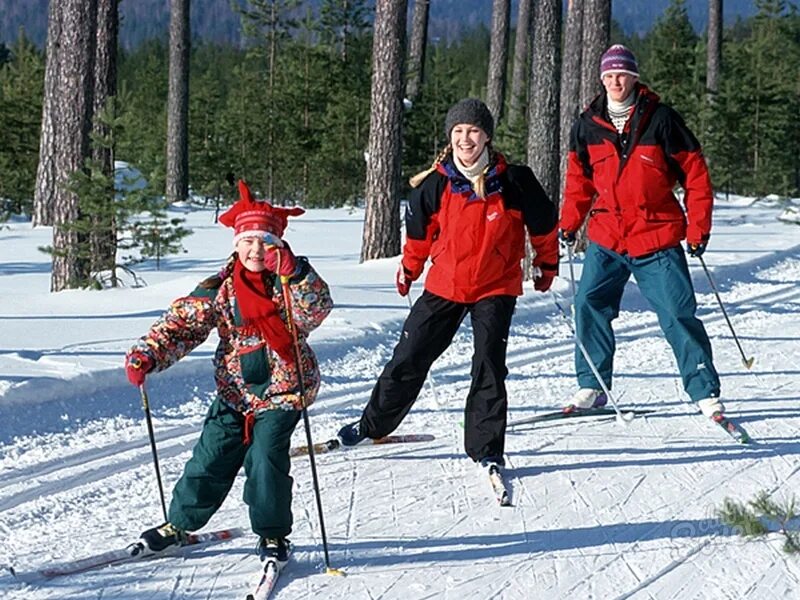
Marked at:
<point>46,169</point>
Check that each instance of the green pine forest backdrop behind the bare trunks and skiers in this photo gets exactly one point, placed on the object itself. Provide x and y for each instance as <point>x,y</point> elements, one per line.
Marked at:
<point>307,118</point>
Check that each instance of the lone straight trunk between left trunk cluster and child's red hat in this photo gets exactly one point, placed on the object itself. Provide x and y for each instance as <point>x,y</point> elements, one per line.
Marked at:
<point>177,183</point>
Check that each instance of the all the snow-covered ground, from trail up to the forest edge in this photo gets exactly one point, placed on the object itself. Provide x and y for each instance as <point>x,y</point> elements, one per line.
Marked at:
<point>599,510</point>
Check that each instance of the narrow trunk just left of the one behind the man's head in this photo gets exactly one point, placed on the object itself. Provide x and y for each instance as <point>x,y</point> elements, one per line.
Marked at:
<point>570,105</point>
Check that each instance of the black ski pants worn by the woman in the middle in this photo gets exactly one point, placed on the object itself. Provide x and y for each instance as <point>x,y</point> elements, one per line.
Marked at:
<point>427,332</point>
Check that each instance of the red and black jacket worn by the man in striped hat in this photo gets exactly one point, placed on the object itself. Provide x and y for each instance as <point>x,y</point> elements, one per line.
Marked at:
<point>625,182</point>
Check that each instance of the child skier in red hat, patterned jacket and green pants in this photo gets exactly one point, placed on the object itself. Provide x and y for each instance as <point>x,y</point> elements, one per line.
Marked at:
<point>257,406</point>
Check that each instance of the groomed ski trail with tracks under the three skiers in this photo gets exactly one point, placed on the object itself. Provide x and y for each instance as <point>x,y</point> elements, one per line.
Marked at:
<point>599,510</point>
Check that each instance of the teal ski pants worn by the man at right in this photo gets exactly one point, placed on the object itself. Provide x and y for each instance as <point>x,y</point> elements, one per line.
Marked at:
<point>664,281</point>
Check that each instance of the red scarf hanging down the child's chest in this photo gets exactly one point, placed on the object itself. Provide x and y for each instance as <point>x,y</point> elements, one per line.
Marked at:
<point>259,313</point>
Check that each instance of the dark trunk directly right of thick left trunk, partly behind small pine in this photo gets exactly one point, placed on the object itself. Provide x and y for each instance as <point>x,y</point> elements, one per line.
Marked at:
<point>104,235</point>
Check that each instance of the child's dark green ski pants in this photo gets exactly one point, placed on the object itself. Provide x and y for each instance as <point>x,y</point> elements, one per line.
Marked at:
<point>216,460</point>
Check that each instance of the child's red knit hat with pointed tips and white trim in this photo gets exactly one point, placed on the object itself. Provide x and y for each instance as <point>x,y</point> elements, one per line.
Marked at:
<point>252,217</point>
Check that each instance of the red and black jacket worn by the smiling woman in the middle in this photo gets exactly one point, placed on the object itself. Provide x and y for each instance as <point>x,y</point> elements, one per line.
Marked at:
<point>476,244</point>
